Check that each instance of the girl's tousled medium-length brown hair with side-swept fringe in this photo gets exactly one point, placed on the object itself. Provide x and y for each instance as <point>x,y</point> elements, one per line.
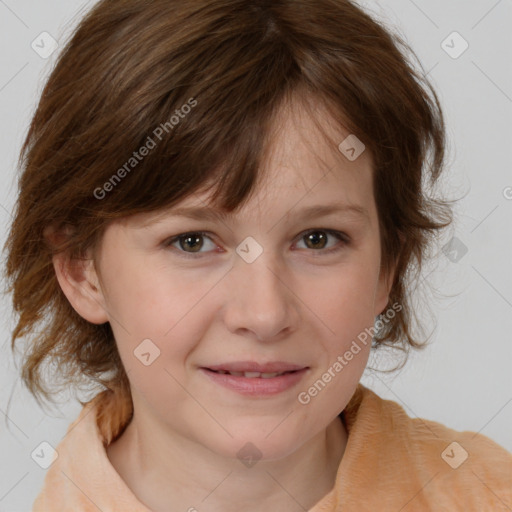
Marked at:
<point>127,74</point>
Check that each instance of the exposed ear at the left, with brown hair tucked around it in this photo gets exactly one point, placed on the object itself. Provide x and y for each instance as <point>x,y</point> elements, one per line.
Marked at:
<point>78,280</point>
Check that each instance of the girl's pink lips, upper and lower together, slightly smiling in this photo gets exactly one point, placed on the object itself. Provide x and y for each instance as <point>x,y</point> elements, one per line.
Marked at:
<point>257,386</point>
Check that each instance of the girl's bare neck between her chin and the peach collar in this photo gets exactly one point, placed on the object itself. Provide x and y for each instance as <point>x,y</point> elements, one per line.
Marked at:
<point>163,469</point>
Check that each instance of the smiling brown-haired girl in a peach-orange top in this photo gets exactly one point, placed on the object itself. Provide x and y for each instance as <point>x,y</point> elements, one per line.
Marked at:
<point>219,206</point>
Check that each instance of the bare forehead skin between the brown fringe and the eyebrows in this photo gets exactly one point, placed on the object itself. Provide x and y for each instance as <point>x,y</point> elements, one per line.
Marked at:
<point>303,168</point>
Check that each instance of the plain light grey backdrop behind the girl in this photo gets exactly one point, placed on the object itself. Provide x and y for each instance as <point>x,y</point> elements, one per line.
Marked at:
<point>463,379</point>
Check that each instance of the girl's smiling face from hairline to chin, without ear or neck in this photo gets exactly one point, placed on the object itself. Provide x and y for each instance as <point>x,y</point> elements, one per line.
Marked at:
<point>279,286</point>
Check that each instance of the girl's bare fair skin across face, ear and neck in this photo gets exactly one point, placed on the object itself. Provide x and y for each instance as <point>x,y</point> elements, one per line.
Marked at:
<point>294,303</point>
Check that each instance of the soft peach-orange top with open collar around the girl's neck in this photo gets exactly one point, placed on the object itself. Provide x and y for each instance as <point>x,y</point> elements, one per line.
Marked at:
<point>391,463</point>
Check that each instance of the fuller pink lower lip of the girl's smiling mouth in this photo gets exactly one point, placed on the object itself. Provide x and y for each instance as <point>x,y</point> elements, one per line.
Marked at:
<point>256,386</point>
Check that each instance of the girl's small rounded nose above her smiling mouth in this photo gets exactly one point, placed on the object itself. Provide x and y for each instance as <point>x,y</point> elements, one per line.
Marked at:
<point>260,299</point>
